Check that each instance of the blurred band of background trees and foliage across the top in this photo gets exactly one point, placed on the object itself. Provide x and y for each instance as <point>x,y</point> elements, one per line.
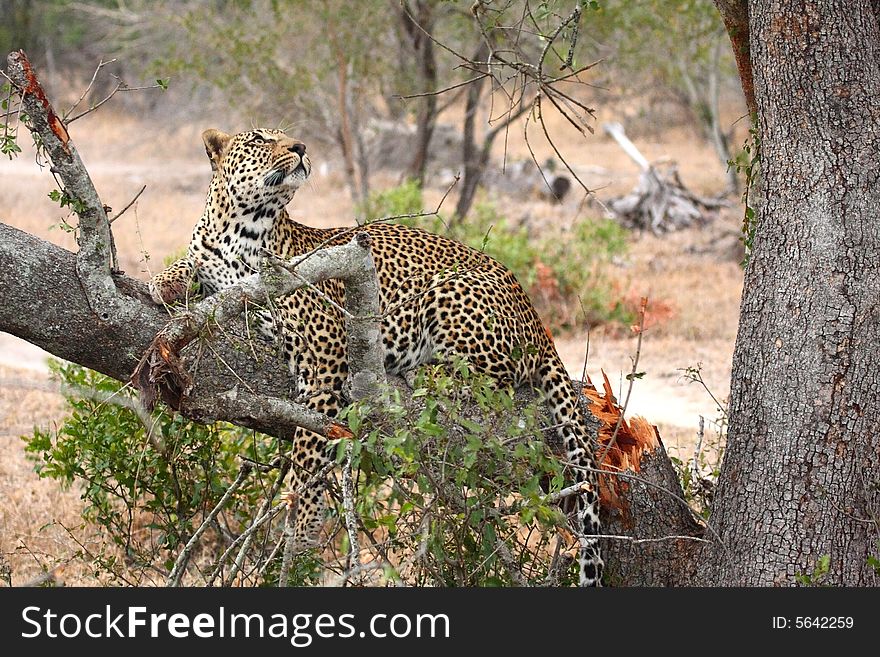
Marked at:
<point>355,71</point>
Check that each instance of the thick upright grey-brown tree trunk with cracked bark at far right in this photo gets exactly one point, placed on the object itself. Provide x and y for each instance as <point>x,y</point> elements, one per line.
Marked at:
<point>801,477</point>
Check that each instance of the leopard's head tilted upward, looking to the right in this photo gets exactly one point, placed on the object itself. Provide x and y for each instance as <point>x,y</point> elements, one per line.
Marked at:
<point>257,166</point>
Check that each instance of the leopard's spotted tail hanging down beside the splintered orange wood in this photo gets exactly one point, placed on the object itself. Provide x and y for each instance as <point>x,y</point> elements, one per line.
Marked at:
<point>568,416</point>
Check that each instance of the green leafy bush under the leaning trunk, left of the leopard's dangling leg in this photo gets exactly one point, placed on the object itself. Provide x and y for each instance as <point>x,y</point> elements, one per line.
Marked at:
<point>147,490</point>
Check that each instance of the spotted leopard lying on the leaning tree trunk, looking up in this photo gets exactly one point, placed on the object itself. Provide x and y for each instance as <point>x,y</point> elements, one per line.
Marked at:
<point>439,300</point>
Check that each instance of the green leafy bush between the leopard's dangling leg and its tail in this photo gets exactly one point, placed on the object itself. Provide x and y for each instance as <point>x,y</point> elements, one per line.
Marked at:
<point>454,483</point>
